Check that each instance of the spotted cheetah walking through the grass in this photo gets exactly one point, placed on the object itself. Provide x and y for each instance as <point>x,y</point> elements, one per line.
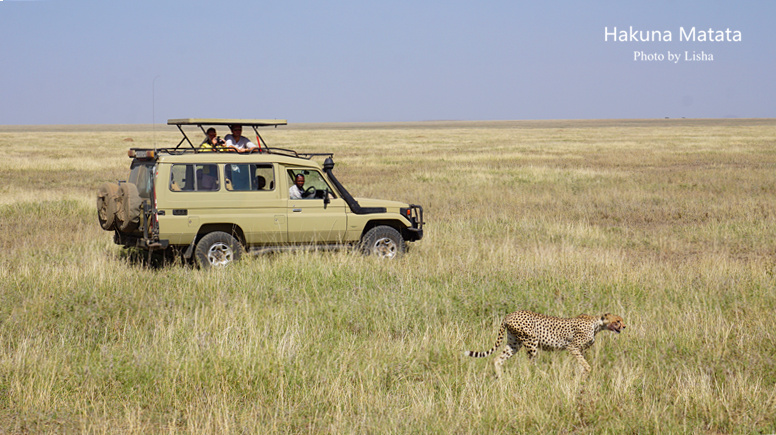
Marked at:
<point>535,331</point>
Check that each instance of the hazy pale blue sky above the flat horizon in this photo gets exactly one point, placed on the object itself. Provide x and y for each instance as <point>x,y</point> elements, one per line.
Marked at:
<point>92,62</point>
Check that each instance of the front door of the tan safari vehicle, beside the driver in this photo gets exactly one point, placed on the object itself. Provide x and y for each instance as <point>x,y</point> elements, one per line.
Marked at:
<point>311,219</point>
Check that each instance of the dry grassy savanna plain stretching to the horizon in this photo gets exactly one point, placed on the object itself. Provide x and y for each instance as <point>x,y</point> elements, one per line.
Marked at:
<point>669,223</point>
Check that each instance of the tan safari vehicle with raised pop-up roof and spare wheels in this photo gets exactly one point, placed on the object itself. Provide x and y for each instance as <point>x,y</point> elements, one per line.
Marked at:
<point>214,204</point>
